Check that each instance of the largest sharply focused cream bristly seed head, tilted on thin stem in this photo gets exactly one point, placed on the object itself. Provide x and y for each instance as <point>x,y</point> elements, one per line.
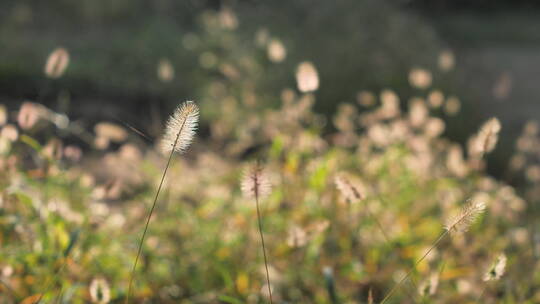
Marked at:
<point>181,128</point>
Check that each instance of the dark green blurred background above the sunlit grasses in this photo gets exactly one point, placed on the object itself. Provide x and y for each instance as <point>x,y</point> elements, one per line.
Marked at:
<point>116,48</point>
